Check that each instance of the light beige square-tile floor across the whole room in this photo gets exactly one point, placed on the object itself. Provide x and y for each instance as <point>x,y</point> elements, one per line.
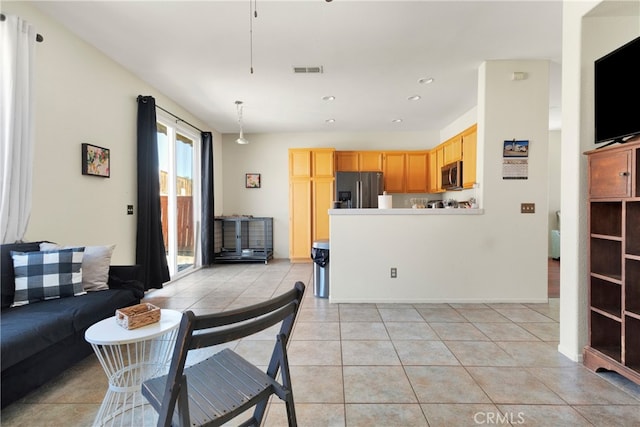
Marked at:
<point>382,364</point>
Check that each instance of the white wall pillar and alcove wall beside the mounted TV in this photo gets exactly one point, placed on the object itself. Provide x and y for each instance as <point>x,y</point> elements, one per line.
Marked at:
<point>590,30</point>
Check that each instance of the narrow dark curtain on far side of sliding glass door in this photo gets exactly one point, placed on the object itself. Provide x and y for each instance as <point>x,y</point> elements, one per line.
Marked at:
<point>207,200</point>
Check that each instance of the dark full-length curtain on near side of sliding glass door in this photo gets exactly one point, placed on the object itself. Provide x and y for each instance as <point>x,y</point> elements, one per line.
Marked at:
<point>150,250</point>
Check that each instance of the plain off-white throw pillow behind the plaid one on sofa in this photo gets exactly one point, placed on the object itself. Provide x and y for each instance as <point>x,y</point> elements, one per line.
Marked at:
<point>95,264</point>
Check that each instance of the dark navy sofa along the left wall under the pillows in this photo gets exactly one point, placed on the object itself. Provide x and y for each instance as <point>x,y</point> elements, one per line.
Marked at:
<point>42,339</point>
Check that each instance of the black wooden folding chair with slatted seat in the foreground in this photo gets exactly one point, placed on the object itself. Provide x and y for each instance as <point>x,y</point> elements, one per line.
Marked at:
<point>216,390</point>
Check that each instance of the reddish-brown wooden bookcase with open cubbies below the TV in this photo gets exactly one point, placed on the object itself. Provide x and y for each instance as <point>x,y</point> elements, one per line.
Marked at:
<point>614,260</point>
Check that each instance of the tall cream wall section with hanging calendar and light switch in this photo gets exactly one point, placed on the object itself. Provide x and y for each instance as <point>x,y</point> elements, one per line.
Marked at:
<point>516,244</point>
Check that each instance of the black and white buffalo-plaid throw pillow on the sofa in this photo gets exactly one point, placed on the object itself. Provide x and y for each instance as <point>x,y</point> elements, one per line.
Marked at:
<point>47,275</point>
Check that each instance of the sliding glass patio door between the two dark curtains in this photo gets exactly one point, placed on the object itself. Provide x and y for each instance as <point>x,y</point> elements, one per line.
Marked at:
<point>178,155</point>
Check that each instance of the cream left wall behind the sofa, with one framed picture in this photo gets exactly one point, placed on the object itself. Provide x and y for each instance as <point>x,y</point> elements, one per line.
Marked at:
<point>83,96</point>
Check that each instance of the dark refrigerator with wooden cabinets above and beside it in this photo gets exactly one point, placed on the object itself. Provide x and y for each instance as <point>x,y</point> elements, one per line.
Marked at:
<point>359,189</point>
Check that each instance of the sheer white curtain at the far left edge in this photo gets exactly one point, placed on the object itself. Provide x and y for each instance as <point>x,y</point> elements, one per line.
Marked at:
<point>17,46</point>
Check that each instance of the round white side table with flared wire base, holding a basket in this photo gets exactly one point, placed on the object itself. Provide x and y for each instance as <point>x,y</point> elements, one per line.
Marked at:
<point>130,357</point>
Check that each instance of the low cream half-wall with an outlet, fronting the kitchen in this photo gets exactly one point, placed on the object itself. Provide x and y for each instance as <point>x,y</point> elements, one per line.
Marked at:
<point>440,255</point>
